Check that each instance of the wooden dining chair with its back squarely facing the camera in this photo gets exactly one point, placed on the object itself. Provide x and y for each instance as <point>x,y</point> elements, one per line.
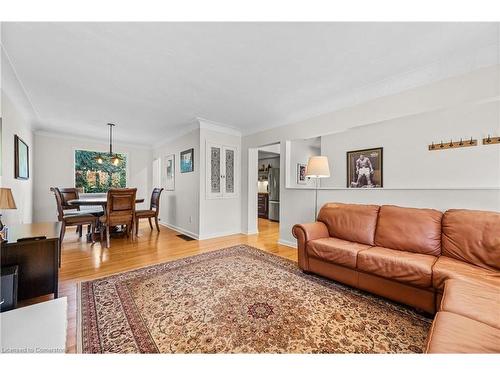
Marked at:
<point>120,210</point>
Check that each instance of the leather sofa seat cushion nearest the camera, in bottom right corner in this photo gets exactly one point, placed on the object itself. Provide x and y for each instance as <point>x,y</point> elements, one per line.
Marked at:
<point>453,333</point>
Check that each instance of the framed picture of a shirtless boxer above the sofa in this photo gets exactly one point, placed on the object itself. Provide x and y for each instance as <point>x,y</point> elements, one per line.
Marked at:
<point>365,168</point>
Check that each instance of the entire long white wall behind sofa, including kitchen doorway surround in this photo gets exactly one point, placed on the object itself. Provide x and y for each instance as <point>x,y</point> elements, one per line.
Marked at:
<point>450,108</point>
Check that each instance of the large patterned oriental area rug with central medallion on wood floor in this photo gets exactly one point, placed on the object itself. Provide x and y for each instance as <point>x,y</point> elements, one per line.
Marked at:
<point>239,300</point>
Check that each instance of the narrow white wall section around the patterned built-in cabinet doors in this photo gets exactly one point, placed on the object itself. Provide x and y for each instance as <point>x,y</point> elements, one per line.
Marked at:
<point>219,217</point>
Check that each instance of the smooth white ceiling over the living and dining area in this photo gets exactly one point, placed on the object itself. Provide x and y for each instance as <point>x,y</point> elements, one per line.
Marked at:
<point>153,79</point>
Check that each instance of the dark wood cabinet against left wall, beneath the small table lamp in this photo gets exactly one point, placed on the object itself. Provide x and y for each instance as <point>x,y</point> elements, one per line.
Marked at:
<point>37,259</point>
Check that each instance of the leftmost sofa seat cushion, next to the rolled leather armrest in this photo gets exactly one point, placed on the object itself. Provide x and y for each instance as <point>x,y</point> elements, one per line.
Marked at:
<point>336,251</point>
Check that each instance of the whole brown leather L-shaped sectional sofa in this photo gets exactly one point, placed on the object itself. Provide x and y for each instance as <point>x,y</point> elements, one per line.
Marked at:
<point>409,255</point>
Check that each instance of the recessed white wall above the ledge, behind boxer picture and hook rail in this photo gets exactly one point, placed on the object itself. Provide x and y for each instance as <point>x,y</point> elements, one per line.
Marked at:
<point>407,161</point>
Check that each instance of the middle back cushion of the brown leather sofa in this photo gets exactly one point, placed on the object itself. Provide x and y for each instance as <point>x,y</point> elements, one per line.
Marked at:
<point>417,230</point>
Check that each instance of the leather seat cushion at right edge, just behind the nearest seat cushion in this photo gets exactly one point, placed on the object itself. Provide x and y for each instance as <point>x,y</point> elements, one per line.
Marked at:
<point>474,301</point>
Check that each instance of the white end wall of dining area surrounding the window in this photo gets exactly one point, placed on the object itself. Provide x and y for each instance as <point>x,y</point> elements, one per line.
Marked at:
<point>54,165</point>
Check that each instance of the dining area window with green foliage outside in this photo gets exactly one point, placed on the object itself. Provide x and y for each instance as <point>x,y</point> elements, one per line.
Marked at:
<point>92,177</point>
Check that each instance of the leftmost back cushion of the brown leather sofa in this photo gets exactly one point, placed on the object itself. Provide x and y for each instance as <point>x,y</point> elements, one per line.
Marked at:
<point>350,222</point>
